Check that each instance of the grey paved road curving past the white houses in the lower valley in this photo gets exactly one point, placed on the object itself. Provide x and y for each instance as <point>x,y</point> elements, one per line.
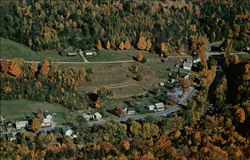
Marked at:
<point>157,114</point>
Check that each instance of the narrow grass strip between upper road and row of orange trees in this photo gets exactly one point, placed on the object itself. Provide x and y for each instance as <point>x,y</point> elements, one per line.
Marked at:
<point>110,55</point>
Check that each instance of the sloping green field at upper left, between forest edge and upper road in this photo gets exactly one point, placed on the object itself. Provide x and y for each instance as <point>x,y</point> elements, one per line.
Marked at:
<point>11,49</point>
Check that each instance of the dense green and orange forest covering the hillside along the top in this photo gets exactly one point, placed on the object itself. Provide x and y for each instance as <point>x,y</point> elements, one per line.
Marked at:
<point>178,25</point>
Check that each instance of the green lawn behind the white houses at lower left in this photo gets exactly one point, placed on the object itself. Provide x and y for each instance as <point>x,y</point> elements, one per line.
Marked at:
<point>19,109</point>
